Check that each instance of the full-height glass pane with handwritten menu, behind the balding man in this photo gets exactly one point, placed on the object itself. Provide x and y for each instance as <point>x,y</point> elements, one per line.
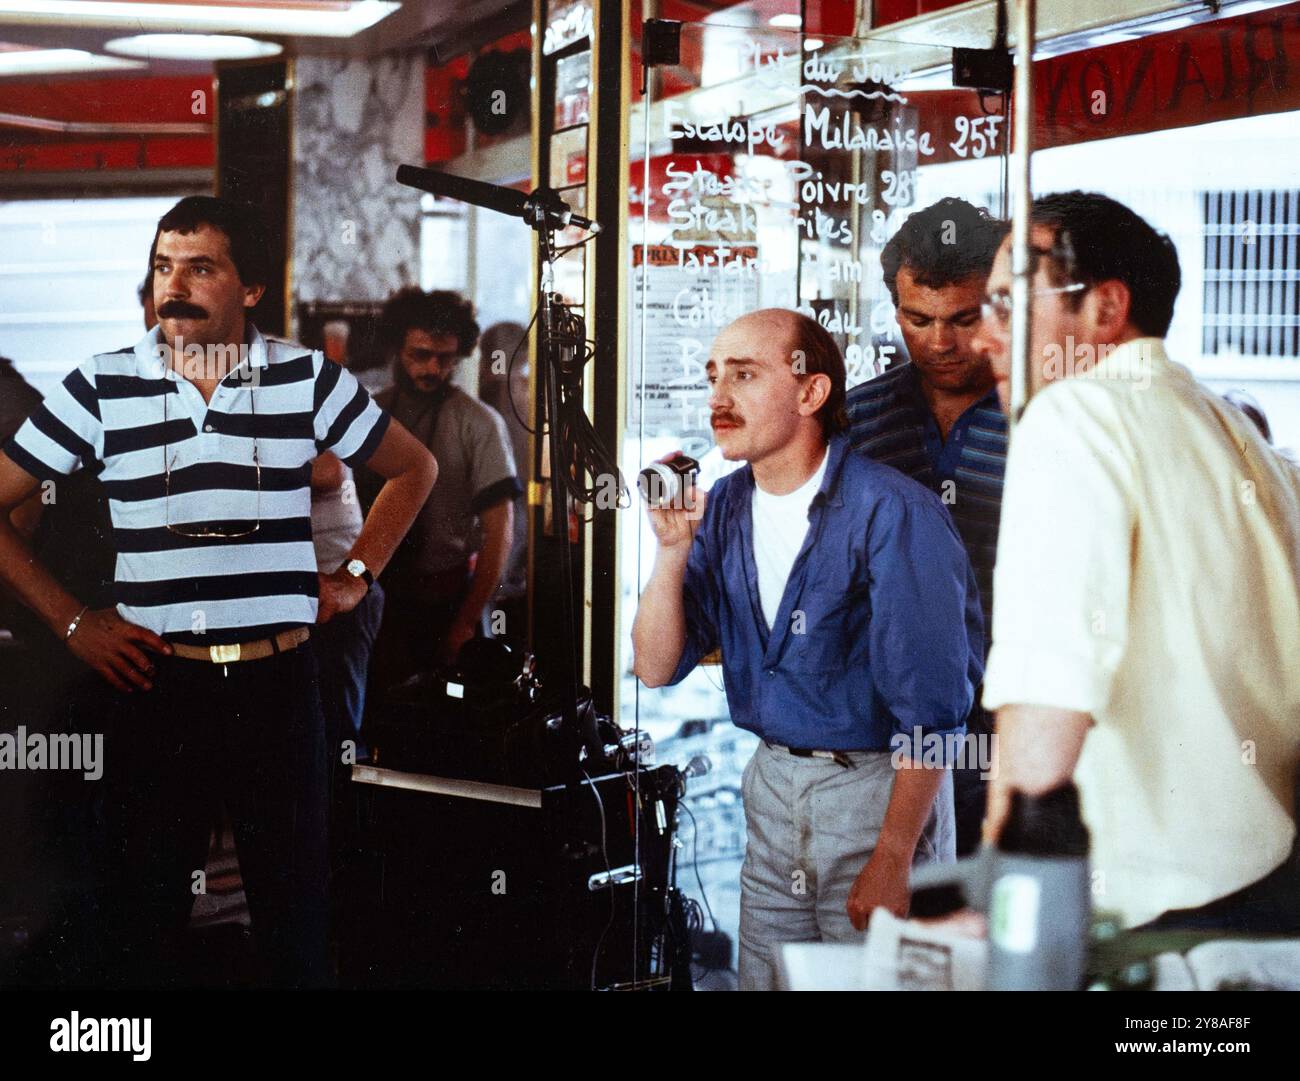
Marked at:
<point>773,168</point>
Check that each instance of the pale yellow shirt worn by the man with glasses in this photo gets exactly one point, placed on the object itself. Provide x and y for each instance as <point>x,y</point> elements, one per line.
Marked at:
<point>1149,574</point>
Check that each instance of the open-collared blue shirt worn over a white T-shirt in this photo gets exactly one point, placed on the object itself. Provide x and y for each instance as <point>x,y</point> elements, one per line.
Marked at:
<point>879,632</point>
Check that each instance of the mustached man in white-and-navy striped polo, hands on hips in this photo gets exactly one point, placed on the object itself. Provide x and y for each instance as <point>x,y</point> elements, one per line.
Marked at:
<point>203,436</point>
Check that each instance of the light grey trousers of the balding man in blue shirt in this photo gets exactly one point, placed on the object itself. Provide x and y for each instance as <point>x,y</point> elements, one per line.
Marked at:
<point>812,827</point>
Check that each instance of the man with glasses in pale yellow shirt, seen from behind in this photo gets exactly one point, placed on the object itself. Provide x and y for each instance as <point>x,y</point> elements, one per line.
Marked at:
<point>1147,591</point>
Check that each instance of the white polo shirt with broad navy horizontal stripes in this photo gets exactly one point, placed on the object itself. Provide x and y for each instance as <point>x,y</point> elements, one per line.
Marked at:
<point>129,418</point>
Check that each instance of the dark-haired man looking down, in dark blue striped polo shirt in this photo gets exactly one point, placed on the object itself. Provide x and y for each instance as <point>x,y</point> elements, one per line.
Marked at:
<point>938,419</point>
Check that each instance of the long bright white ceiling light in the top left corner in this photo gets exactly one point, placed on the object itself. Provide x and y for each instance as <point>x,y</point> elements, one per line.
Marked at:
<point>324,21</point>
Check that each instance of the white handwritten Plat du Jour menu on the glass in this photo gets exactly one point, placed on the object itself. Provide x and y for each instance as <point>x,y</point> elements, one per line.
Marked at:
<point>772,176</point>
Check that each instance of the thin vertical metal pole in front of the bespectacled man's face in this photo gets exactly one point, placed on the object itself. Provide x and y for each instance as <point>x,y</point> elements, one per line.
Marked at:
<point>1022,149</point>
